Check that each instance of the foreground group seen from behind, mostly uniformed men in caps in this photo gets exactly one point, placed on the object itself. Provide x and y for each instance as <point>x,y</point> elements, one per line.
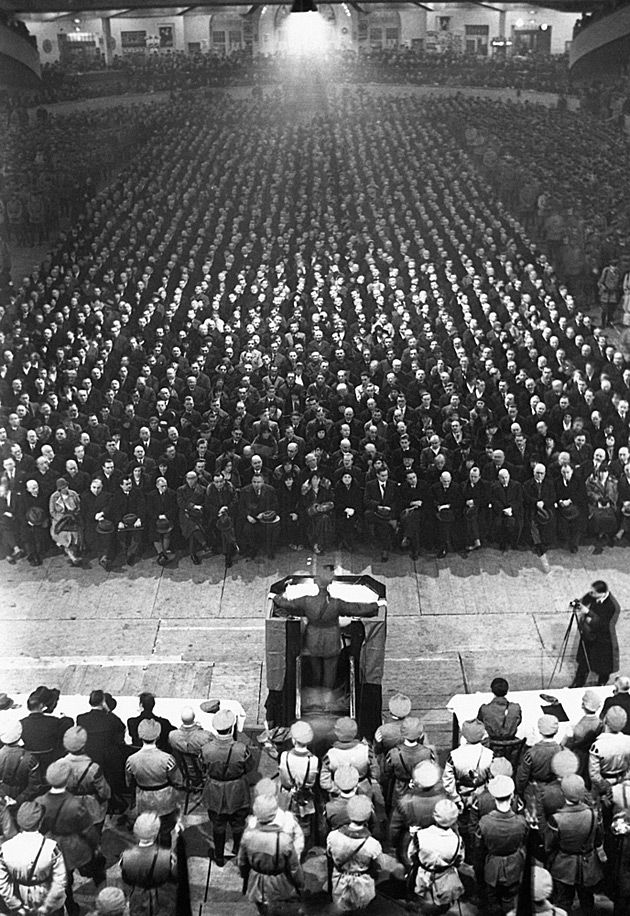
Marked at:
<point>335,813</point>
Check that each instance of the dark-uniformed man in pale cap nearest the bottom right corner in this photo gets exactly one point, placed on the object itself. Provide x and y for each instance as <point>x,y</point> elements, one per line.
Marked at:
<point>572,836</point>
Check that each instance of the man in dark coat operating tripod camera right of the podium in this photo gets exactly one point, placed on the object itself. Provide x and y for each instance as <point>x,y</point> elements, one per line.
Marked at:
<point>595,611</point>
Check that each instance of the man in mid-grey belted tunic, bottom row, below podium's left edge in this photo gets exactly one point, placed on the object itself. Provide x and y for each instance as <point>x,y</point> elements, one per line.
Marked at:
<point>268,863</point>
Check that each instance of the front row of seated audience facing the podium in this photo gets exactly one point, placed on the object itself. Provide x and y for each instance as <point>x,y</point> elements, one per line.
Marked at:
<point>116,512</point>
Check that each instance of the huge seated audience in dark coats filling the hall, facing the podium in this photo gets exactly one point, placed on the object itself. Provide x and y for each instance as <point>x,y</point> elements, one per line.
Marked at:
<point>251,359</point>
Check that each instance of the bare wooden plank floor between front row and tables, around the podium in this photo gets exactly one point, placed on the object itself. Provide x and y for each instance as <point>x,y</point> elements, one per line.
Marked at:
<point>188,631</point>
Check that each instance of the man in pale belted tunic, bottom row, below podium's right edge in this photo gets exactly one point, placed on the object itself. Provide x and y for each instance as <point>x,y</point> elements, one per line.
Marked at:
<point>354,855</point>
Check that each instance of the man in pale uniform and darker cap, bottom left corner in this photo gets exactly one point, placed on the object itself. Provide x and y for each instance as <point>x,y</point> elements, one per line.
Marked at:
<point>32,870</point>
